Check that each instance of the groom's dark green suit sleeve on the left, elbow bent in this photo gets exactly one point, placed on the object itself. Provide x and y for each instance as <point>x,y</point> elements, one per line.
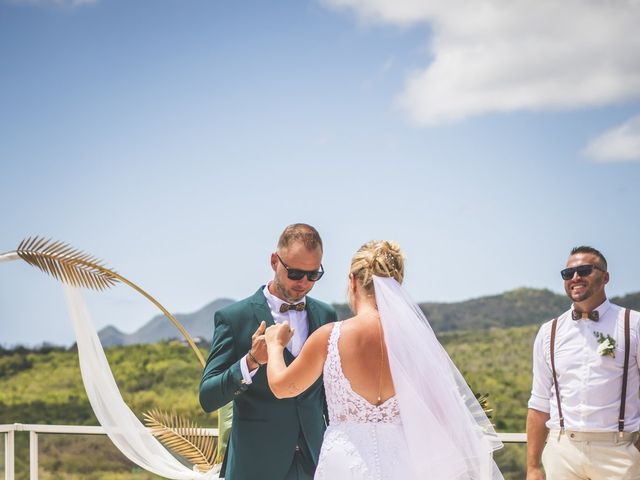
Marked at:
<point>222,376</point>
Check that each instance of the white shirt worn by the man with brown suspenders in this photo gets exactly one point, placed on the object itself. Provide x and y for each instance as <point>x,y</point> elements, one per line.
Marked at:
<point>590,384</point>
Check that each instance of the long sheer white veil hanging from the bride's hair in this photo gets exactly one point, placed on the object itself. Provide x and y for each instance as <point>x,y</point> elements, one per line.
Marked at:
<point>449,437</point>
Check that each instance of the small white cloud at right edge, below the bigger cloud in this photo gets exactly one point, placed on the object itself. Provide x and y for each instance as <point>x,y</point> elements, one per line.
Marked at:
<point>621,143</point>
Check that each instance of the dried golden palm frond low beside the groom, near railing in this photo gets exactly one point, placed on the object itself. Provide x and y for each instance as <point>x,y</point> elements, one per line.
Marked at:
<point>183,437</point>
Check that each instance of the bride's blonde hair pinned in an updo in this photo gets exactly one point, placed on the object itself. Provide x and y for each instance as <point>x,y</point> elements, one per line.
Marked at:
<point>378,257</point>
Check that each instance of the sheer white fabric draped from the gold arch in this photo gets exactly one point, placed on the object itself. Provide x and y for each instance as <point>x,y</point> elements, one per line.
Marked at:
<point>124,429</point>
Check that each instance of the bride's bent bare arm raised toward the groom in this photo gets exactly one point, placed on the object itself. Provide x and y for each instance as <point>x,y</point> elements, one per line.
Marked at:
<point>286,382</point>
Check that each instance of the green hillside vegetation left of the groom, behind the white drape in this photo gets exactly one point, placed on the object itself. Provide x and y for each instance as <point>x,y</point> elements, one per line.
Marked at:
<point>44,386</point>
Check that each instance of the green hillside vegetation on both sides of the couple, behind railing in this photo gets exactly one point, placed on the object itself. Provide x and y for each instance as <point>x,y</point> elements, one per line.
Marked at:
<point>44,386</point>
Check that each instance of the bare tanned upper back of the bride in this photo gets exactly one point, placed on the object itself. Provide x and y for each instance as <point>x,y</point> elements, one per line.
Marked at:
<point>363,356</point>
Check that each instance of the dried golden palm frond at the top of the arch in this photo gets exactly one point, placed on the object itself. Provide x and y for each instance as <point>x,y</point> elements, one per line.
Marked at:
<point>66,264</point>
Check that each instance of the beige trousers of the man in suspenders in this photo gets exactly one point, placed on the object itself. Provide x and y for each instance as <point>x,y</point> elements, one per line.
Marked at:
<point>591,456</point>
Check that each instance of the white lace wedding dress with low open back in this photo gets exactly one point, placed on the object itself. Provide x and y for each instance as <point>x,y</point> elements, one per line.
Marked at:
<point>363,441</point>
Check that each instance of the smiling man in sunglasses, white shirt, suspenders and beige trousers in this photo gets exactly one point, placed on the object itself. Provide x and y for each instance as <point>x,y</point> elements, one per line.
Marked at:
<point>589,416</point>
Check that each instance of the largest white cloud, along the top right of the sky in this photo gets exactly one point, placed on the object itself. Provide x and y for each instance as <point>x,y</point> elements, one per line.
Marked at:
<point>506,55</point>
